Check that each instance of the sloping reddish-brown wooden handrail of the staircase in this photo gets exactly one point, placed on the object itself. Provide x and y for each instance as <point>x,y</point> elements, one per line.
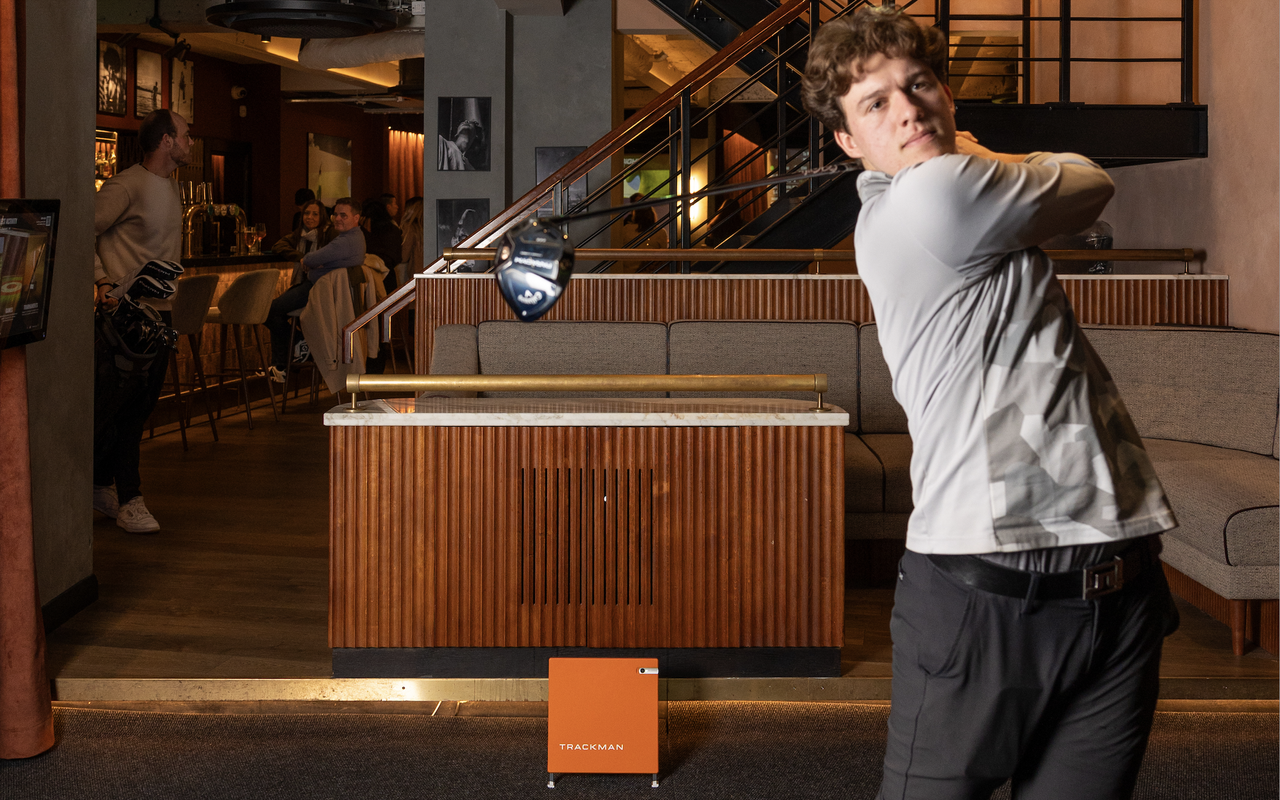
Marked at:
<point>595,156</point>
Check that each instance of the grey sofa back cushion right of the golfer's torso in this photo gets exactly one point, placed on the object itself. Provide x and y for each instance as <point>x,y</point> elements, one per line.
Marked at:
<point>1213,387</point>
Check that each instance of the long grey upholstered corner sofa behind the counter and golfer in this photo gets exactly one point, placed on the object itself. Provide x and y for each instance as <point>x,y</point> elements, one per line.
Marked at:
<point>1206,403</point>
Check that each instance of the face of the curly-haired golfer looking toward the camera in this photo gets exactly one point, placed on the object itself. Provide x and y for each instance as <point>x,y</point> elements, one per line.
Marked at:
<point>898,115</point>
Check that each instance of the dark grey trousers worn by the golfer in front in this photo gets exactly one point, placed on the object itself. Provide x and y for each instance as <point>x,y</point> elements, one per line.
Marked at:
<point>1058,696</point>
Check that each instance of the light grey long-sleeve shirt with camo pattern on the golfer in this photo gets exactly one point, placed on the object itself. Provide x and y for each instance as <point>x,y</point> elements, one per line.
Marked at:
<point>1020,437</point>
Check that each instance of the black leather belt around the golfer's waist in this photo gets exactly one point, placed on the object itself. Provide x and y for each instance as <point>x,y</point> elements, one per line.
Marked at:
<point>1085,584</point>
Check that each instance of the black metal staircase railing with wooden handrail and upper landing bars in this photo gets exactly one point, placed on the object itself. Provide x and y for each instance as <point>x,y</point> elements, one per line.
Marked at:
<point>776,35</point>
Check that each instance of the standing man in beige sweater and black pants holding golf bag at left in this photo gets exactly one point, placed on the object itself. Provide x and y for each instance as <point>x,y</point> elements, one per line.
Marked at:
<point>138,218</point>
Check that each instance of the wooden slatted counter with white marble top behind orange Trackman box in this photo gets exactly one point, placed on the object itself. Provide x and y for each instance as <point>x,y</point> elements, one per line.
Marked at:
<point>477,538</point>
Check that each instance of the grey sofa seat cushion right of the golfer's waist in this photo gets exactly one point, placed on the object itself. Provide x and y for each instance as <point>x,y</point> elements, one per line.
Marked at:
<point>1227,502</point>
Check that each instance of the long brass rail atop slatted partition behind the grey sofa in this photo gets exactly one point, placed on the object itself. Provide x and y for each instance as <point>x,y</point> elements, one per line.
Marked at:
<point>710,254</point>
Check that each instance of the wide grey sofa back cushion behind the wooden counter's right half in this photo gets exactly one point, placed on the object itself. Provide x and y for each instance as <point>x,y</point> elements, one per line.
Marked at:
<point>770,349</point>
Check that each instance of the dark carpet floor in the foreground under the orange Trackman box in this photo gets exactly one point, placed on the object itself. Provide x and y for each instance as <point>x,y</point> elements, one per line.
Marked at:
<point>710,751</point>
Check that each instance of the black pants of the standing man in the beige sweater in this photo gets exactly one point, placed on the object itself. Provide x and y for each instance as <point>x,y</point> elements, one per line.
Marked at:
<point>122,405</point>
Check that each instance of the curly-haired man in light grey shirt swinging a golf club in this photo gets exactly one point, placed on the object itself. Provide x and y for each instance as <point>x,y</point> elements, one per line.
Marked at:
<point>1031,605</point>
